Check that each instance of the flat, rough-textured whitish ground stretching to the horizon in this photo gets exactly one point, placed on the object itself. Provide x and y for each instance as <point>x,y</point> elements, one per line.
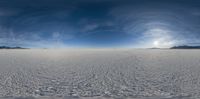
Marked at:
<point>100,74</point>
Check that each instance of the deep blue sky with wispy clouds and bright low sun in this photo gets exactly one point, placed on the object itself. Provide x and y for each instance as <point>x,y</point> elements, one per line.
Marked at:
<point>99,23</point>
